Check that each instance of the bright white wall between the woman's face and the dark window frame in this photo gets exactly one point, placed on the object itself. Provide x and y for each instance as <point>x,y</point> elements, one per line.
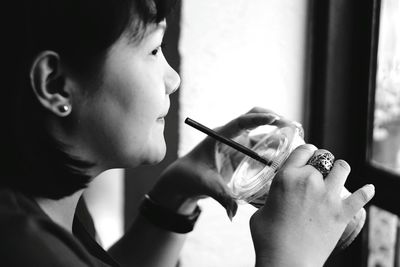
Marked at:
<point>236,55</point>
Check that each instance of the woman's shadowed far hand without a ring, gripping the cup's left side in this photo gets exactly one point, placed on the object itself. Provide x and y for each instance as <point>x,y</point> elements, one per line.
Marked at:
<point>195,175</point>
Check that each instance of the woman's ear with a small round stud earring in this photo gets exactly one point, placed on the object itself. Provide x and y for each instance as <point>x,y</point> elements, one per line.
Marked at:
<point>48,81</point>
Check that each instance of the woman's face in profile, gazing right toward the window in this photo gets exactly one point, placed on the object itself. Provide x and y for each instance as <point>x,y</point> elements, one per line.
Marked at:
<point>121,123</point>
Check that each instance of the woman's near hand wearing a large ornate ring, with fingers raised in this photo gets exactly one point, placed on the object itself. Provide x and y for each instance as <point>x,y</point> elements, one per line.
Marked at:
<point>304,215</point>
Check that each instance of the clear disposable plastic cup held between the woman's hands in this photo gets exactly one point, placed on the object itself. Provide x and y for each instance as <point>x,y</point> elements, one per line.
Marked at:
<point>249,180</point>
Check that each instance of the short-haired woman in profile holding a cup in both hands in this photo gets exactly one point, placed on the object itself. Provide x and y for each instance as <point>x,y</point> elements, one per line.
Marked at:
<point>87,90</point>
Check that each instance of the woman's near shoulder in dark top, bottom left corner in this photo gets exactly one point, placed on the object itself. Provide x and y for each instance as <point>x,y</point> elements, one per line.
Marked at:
<point>29,237</point>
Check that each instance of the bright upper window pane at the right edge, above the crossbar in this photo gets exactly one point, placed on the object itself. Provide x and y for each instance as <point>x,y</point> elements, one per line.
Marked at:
<point>386,130</point>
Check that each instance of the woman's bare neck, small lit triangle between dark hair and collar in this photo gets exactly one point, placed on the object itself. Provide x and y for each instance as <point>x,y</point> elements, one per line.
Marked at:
<point>61,211</point>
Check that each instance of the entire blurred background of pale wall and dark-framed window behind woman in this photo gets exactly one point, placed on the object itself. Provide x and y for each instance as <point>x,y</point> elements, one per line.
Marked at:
<point>333,66</point>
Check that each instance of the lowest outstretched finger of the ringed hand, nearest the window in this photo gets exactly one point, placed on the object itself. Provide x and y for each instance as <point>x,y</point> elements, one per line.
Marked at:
<point>358,199</point>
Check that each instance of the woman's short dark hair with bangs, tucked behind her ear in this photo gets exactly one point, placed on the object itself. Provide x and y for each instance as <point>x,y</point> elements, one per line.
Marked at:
<point>81,32</point>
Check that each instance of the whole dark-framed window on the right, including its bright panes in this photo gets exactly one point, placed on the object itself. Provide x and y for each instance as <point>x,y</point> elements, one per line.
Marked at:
<point>354,112</point>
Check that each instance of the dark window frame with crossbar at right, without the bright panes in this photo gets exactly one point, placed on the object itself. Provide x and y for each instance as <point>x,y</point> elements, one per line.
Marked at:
<point>340,101</point>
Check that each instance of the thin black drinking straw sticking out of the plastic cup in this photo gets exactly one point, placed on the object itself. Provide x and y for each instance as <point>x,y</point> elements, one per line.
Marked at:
<point>226,141</point>
